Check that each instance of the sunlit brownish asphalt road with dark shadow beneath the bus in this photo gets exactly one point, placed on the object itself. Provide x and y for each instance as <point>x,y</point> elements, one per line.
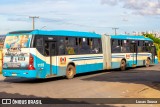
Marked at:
<point>139,82</point>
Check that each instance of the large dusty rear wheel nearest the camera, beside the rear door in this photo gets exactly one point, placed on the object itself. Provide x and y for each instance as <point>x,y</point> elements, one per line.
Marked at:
<point>70,71</point>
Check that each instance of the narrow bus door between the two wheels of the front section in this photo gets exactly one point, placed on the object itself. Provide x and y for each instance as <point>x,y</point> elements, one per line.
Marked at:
<point>134,53</point>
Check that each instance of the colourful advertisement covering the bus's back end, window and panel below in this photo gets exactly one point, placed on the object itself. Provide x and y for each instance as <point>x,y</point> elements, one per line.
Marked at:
<point>16,52</point>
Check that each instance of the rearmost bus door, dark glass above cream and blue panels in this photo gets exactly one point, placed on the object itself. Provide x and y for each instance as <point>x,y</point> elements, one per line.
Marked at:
<point>52,57</point>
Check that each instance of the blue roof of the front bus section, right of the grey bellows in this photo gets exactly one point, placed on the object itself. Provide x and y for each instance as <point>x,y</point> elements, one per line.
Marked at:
<point>130,37</point>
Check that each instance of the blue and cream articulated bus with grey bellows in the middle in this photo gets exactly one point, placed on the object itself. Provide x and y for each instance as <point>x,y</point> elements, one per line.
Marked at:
<point>45,54</point>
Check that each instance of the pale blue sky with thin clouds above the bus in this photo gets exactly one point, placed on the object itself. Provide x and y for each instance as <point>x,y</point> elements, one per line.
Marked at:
<point>98,16</point>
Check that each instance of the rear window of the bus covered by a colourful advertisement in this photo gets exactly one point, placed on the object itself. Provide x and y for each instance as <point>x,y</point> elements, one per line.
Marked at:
<point>17,41</point>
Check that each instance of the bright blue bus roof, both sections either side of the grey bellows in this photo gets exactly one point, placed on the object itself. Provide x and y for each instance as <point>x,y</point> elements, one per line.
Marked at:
<point>78,34</point>
